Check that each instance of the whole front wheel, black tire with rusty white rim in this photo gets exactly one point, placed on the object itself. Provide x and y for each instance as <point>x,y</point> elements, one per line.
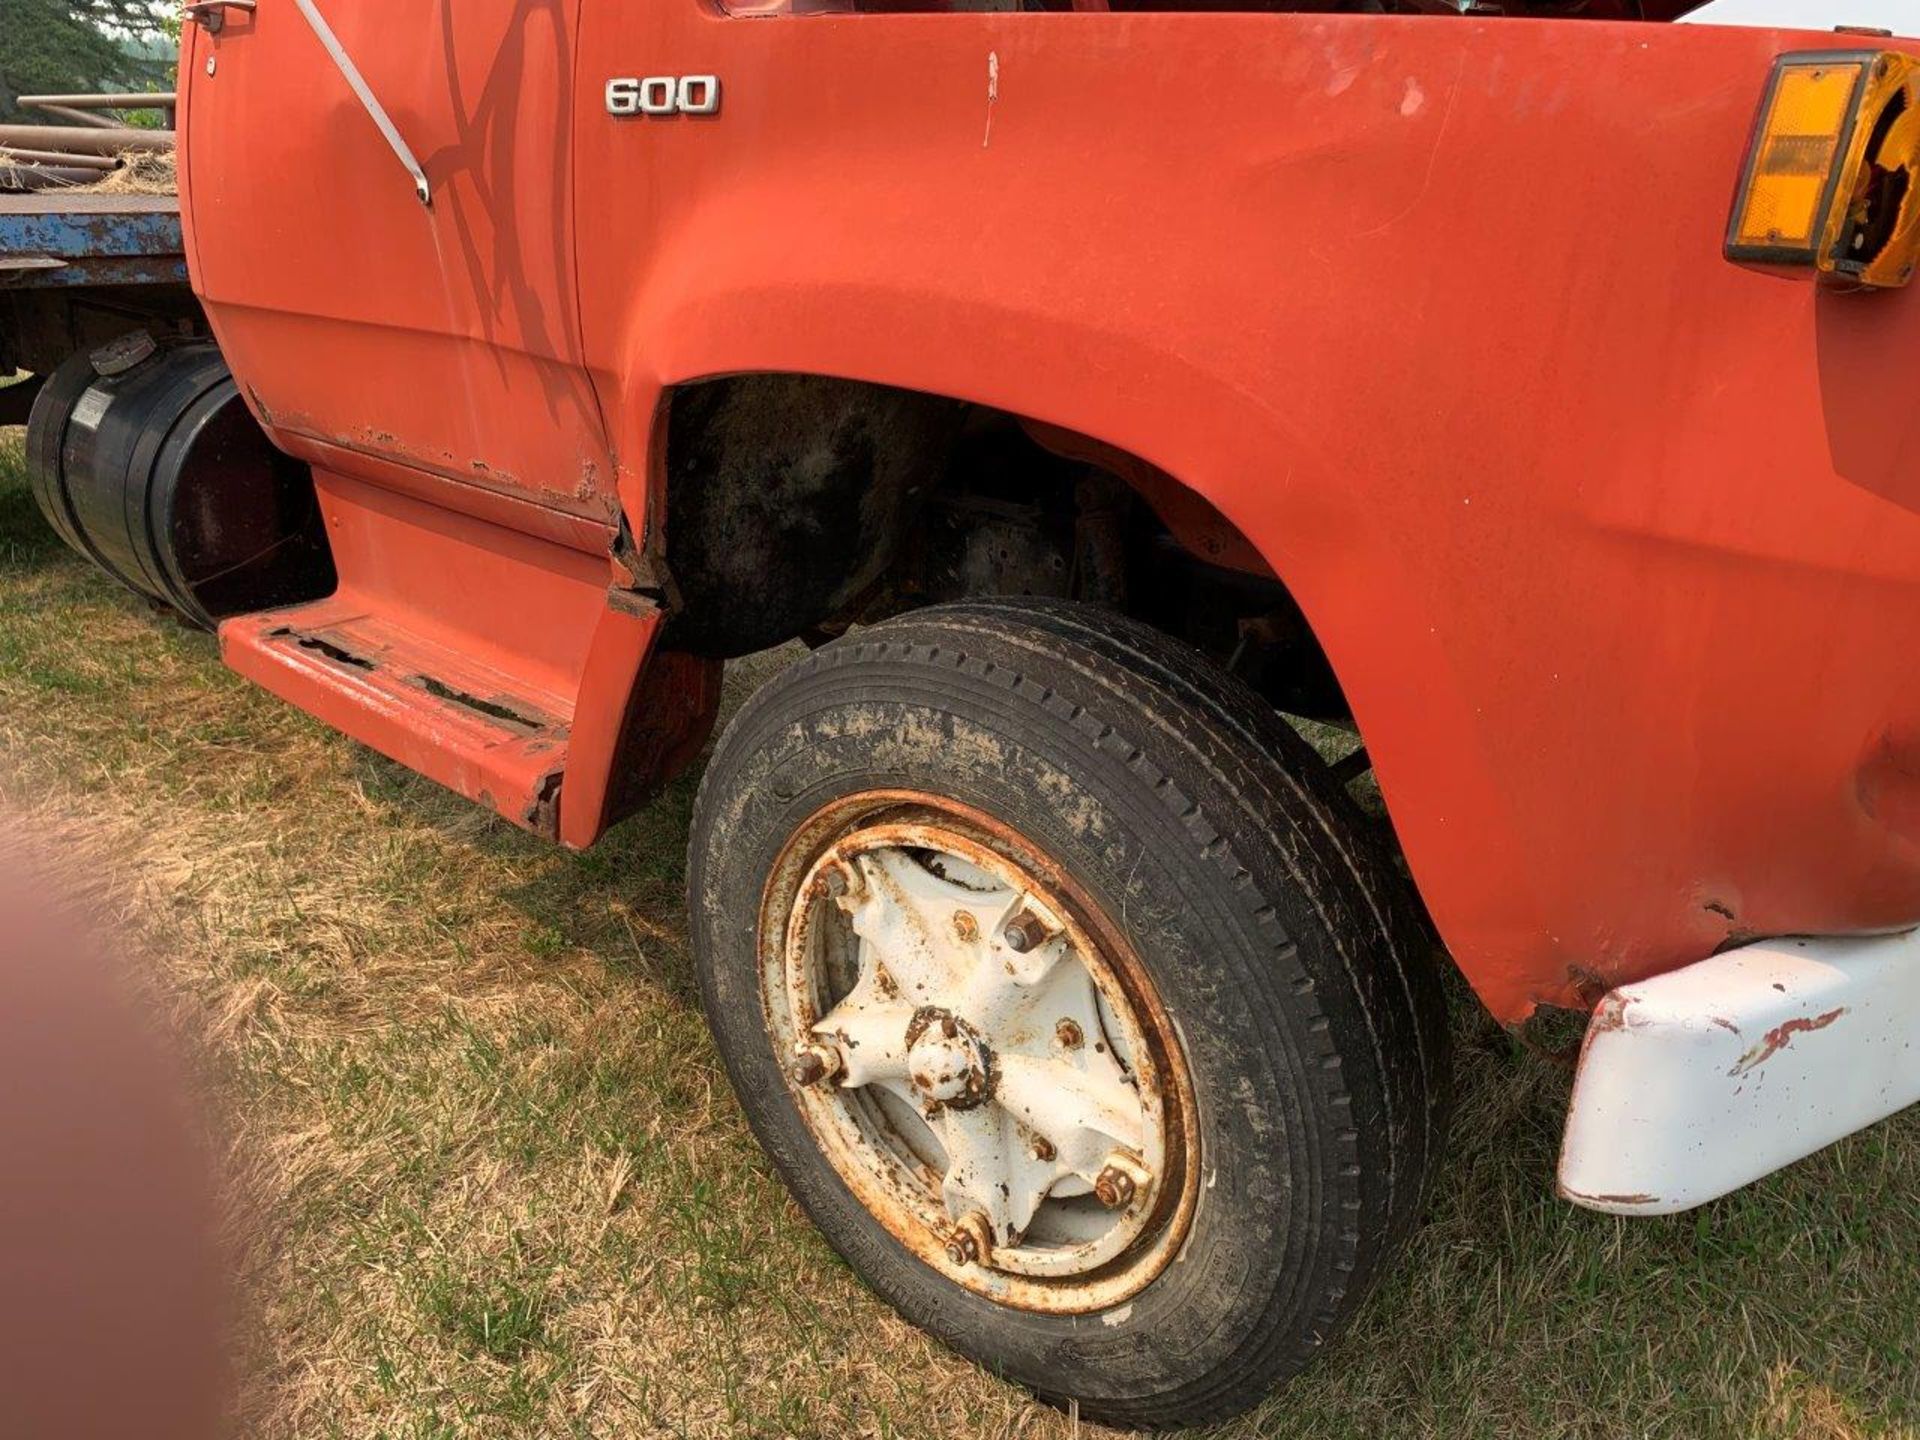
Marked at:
<point>1070,999</point>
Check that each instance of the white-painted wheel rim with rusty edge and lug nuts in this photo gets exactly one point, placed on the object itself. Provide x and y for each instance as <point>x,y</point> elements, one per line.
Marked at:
<point>978,1053</point>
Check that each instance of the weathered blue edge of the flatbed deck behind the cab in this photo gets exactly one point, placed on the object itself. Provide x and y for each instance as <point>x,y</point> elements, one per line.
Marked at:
<point>62,239</point>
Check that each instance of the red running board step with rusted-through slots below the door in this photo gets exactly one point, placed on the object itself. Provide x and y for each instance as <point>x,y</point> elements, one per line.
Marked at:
<point>433,709</point>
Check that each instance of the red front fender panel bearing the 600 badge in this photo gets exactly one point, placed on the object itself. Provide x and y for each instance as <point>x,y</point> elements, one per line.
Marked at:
<point>1614,544</point>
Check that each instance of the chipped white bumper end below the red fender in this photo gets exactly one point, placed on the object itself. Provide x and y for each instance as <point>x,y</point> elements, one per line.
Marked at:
<point>1704,1080</point>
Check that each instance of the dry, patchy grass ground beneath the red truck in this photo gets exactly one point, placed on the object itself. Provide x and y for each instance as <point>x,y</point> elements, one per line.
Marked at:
<point>489,1180</point>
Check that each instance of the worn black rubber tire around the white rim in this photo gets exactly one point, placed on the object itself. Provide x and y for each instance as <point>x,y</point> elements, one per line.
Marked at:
<point>1268,919</point>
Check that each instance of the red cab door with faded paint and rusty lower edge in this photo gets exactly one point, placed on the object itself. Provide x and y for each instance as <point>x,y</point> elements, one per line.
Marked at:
<point>441,337</point>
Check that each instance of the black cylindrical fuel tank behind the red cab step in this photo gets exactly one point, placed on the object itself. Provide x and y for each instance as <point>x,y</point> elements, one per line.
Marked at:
<point>149,464</point>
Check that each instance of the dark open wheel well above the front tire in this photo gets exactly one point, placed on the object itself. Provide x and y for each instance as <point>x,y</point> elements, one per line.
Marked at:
<point>800,506</point>
